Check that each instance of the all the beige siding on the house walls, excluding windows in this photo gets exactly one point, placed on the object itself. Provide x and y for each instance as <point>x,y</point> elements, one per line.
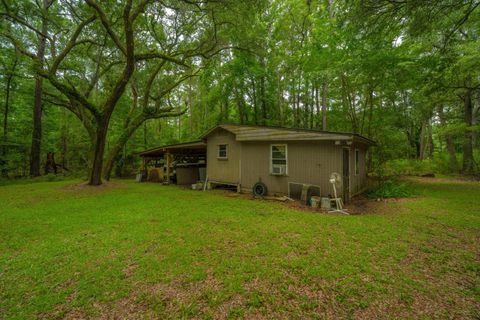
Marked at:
<point>309,162</point>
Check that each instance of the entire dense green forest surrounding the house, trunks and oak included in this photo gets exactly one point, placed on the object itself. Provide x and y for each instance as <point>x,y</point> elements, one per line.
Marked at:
<point>94,82</point>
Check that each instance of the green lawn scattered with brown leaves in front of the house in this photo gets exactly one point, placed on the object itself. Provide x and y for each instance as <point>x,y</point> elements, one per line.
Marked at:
<point>151,251</point>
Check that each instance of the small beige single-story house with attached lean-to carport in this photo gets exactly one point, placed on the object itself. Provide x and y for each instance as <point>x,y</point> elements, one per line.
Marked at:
<point>280,158</point>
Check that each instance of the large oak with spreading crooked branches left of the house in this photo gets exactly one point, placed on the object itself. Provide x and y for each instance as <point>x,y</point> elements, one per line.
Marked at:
<point>96,48</point>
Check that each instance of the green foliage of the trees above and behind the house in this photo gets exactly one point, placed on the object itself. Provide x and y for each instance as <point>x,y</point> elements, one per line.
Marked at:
<point>379,68</point>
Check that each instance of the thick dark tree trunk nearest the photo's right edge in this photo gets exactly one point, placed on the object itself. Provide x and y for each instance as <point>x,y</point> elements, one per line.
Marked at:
<point>468,162</point>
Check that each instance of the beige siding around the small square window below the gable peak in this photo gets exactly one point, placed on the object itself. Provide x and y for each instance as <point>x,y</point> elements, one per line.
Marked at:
<point>223,170</point>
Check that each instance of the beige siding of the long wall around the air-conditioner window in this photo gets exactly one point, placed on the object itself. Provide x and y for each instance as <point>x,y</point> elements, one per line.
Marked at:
<point>308,162</point>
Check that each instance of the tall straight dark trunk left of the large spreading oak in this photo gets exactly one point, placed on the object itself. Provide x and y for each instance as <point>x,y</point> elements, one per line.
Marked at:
<point>37,105</point>
